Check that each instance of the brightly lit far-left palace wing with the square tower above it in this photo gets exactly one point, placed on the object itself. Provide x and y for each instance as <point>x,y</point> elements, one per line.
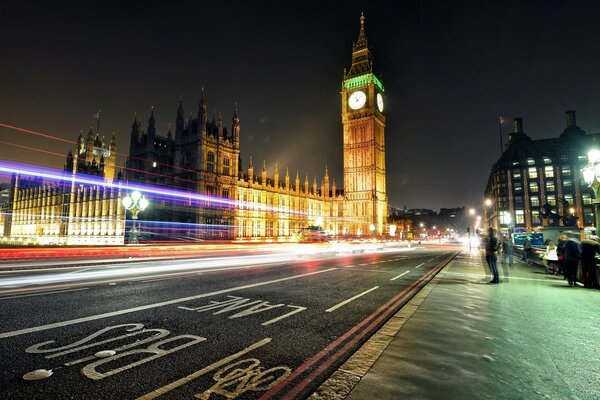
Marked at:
<point>44,212</point>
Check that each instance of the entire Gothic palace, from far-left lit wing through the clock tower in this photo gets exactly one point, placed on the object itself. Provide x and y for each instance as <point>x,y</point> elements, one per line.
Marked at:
<point>202,156</point>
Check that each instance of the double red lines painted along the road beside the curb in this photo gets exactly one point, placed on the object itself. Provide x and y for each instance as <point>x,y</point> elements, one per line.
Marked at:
<point>369,323</point>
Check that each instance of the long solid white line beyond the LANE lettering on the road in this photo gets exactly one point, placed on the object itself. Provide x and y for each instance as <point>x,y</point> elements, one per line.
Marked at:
<point>25,331</point>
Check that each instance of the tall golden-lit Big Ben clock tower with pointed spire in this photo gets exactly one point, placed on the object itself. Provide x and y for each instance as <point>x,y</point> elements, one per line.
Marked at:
<point>363,119</point>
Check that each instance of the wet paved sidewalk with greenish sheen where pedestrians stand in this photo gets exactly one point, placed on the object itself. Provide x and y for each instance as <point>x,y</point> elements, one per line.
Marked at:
<point>530,337</point>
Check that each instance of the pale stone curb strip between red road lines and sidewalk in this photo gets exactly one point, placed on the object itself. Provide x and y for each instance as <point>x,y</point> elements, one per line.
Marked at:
<point>342,382</point>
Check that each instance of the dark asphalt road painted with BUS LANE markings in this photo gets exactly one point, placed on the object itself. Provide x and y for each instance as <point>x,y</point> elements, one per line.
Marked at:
<point>254,328</point>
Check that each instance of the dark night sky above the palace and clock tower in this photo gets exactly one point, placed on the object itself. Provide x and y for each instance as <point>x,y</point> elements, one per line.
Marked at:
<point>449,68</point>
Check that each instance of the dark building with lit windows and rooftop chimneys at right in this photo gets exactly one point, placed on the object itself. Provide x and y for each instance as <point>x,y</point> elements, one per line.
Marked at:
<point>539,182</point>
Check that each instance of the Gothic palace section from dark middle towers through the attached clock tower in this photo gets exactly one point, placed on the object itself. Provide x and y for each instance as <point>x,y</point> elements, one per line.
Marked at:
<point>204,157</point>
